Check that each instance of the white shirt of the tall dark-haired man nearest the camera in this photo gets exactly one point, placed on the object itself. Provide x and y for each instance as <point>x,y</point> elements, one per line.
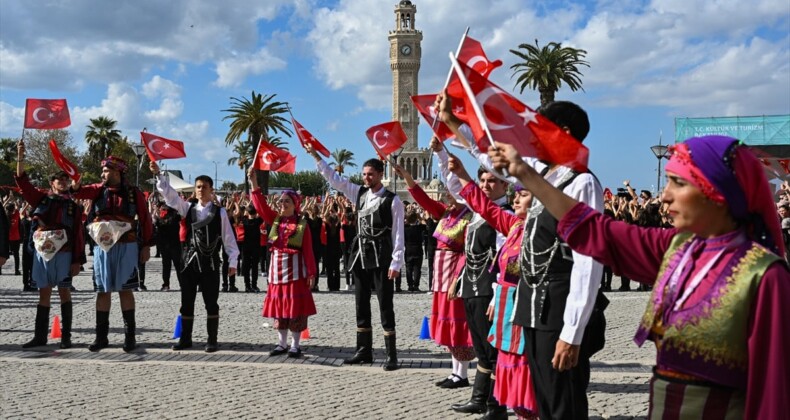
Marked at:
<point>586,272</point>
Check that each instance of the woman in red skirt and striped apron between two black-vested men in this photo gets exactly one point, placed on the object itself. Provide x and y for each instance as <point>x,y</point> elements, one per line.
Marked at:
<point>292,269</point>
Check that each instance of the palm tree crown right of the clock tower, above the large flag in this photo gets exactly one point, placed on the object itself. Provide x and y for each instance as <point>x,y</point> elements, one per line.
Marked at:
<point>544,69</point>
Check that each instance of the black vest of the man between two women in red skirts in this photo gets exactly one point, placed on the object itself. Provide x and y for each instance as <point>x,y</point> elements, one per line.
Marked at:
<point>480,250</point>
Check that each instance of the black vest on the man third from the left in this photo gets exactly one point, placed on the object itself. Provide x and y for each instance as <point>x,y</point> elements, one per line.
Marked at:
<point>203,240</point>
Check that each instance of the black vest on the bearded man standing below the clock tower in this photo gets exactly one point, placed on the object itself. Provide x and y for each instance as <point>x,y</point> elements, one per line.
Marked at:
<point>373,245</point>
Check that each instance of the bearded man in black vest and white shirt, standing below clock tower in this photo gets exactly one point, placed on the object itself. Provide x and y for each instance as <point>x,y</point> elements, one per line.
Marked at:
<point>377,253</point>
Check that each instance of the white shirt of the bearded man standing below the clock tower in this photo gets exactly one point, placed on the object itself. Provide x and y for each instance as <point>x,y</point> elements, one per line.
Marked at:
<point>351,190</point>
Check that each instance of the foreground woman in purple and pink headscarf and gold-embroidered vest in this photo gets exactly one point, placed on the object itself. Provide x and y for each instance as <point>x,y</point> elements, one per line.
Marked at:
<point>721,299</point>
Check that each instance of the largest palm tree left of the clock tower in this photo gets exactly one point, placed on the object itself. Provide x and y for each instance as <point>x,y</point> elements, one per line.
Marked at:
<point>257,118</point>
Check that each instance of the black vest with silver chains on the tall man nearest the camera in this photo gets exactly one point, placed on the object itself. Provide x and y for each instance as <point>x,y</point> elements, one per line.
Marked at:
<point>542,296</point>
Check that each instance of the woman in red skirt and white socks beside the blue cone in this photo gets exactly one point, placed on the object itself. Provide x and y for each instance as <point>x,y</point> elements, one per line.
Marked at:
<point>448,319</point>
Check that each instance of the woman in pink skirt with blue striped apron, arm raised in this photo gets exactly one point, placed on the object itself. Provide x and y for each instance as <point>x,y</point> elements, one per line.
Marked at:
<point>513,386</point>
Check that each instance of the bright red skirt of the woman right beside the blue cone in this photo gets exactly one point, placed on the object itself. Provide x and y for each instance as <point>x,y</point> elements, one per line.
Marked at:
<point>448,322</point>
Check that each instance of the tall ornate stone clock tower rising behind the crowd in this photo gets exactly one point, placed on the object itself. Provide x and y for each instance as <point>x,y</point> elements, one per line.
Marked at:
<point>405,55</point>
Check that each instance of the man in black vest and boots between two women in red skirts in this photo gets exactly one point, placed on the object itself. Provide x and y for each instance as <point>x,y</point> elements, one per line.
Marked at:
<point>476,288</point>
